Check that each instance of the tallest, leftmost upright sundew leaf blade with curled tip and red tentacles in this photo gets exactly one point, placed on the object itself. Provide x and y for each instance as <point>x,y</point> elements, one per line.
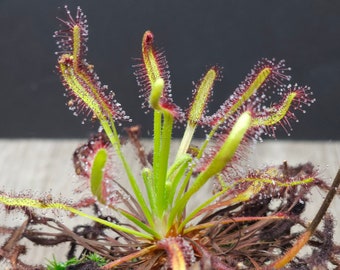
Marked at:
<point>85,92</point>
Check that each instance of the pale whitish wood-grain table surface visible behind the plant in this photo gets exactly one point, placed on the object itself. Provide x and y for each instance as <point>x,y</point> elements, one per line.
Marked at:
<point>37,166</point>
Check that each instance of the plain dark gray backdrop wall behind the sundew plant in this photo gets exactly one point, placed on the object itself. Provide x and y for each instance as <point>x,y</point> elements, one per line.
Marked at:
<point>195,34</point>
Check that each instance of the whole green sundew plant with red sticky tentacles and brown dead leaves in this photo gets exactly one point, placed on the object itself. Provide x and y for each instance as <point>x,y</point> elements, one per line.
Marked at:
<point>238,226</point>
